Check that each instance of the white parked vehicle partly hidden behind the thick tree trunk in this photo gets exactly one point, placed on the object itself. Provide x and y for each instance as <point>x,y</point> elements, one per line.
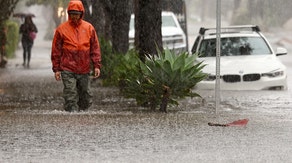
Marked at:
<point>173,36</point>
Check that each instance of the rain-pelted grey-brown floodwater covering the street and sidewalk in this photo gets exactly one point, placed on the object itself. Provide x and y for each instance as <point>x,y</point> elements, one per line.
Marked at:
<point>34,128</point>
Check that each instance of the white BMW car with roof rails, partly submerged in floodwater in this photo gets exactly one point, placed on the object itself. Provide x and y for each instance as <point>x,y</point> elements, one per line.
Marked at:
<point>247,60</point>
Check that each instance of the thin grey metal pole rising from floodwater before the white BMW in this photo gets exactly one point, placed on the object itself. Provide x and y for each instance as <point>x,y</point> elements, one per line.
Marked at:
<point>218,52</point>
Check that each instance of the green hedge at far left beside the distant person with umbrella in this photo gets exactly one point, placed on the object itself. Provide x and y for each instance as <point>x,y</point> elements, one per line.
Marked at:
<point>12,38</point>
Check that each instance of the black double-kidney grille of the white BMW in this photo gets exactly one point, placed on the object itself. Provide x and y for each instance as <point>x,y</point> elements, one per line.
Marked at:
<point>237,78</point>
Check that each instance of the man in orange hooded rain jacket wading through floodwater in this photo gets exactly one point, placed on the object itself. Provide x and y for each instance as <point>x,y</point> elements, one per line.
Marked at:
<point>75,46</point>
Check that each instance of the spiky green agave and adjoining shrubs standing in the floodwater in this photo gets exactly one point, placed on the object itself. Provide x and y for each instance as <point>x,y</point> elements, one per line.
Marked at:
<point>161,80</point>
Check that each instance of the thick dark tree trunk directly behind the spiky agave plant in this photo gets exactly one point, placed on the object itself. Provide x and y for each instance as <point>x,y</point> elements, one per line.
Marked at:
<point>148,35</point>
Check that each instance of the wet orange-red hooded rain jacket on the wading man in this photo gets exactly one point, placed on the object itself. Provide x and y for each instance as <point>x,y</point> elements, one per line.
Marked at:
<point>75,45</point>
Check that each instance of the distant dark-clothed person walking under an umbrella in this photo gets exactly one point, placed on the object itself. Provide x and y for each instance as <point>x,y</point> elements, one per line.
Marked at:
<point>28,30</point>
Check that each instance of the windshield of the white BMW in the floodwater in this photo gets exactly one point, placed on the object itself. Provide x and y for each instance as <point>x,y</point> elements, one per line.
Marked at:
<point>235,46</point>
